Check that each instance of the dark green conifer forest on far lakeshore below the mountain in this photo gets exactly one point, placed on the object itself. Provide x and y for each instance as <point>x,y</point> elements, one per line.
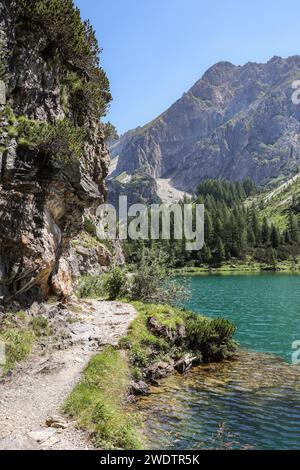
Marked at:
<point>236,229</point>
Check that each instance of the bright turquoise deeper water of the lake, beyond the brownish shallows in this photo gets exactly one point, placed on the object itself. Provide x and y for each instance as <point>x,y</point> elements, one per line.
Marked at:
<point>265,308</point>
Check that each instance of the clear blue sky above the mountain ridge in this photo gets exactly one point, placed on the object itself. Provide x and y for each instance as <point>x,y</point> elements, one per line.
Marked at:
<point>154,50</point>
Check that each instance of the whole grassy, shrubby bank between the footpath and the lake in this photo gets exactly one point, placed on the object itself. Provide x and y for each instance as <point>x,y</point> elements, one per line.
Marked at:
<point>160,335</point>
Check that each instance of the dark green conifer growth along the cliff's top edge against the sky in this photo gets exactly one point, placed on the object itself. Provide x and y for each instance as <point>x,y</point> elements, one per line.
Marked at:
<point>76,42</point>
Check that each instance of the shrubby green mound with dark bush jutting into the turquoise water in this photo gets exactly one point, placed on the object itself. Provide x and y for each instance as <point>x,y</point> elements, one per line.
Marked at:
<point>146,348</point>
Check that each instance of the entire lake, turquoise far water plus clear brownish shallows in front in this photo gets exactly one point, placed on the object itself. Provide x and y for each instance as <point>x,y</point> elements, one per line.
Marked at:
<point>251,403</point>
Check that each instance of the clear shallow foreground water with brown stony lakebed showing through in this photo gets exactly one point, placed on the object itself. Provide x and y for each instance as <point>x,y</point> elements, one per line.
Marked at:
<point>247,380</point>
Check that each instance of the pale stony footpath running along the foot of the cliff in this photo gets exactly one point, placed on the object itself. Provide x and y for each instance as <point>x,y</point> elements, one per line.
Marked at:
<point>37,390</point>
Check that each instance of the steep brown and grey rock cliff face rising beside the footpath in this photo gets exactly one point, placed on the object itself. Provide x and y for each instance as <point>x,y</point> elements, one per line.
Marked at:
<point>43,201</point>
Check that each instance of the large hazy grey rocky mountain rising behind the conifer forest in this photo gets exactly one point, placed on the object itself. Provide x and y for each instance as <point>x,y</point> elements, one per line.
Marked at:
<point>236,122</point>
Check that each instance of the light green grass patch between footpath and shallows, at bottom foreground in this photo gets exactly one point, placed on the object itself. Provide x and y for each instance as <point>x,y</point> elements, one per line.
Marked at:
<point>97,402</point>
